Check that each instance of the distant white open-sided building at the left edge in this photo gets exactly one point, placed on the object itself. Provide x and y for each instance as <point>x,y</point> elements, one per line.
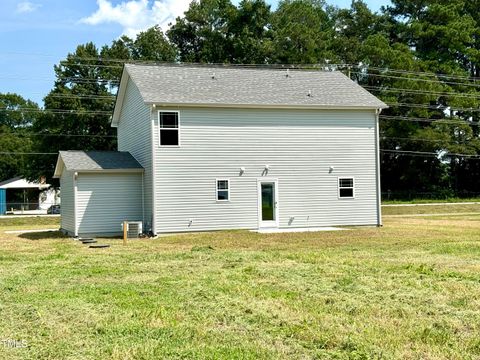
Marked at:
<point>18,195</point>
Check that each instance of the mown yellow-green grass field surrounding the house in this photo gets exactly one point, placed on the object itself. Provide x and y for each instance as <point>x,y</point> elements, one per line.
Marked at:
<point>409,290</point>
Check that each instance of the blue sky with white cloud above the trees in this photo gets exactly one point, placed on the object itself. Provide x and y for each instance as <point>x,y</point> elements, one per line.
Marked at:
<point>36,34</point>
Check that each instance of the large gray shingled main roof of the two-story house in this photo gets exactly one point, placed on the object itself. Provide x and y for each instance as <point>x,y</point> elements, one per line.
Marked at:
<point>201,85</point>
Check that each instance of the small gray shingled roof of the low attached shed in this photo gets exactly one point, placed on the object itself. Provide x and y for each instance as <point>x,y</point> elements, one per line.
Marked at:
<point>98,160</point>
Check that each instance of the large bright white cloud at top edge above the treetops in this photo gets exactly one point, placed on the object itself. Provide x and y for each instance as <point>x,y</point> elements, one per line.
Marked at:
<point>137,15</point>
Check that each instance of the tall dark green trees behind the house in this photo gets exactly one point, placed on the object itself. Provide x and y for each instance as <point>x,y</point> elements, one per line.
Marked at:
<point>420,57</point>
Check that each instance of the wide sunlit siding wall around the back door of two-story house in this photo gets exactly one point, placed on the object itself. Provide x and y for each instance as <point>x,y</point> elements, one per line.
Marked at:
<point>299,146</point>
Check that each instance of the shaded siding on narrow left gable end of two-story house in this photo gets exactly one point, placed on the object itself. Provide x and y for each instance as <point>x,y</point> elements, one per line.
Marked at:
<point>134,136</point>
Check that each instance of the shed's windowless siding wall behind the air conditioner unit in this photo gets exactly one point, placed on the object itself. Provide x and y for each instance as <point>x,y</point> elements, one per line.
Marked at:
<point>105,200</point>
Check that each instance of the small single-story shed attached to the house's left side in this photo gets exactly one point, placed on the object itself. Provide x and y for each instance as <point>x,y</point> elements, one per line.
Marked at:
<point>100,190</point>
